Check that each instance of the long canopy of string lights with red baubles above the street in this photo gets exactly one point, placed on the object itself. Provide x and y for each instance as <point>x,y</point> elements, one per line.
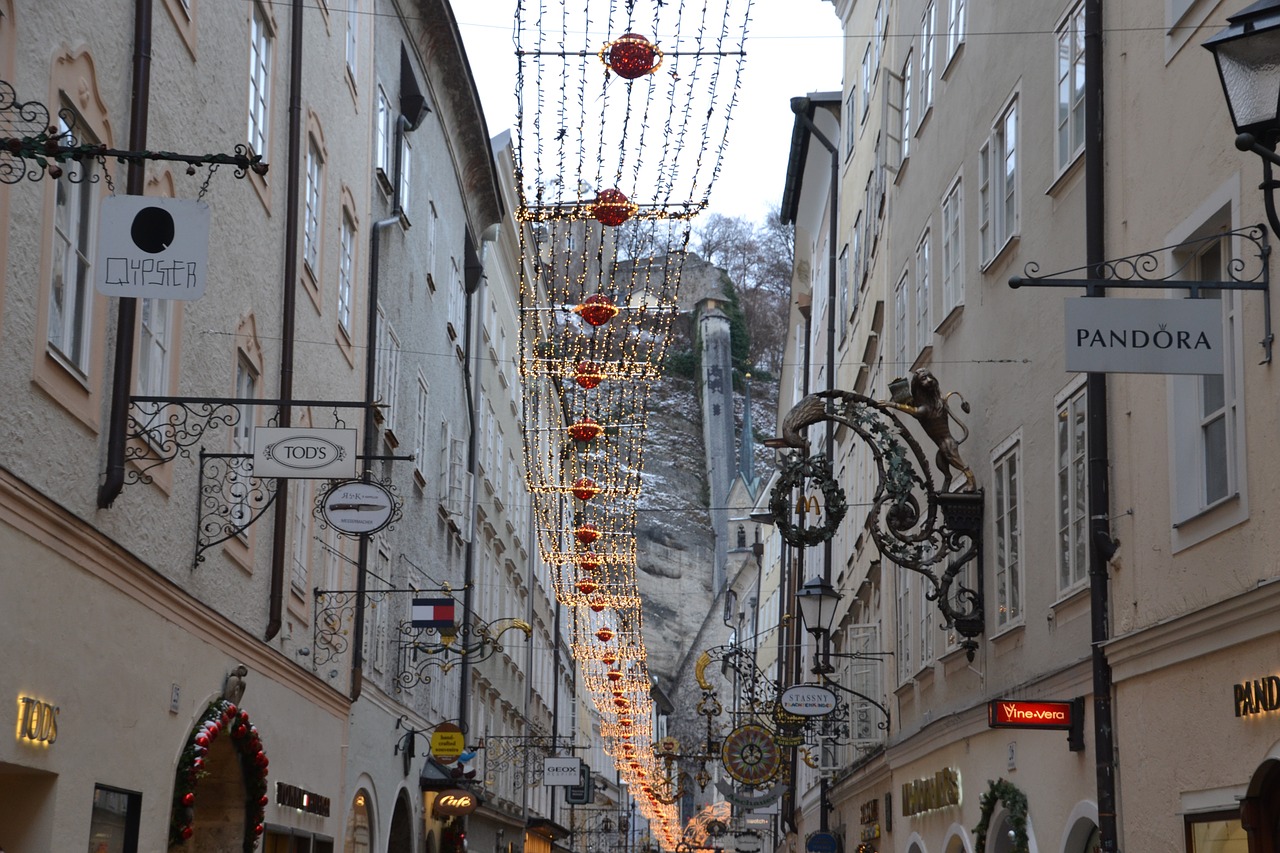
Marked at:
<point>621,127</point>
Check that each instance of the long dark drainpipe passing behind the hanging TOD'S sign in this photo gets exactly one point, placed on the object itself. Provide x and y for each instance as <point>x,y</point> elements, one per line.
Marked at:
<point>289,322</point>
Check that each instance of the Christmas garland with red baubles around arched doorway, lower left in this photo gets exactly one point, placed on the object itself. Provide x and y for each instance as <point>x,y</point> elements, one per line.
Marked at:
<point>221,717</point>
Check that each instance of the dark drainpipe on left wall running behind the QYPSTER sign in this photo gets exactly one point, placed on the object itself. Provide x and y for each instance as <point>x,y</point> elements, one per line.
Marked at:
<point>127,311</point>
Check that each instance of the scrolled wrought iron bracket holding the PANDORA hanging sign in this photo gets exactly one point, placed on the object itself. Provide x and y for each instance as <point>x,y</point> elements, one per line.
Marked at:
<point>1250,272</point>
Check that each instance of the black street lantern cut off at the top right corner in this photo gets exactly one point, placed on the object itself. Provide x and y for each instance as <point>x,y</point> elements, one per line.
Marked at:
<point>1246,53</point>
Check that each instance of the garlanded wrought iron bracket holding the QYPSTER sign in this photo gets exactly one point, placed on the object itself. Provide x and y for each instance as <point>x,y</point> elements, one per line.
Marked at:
<point>34,145</point>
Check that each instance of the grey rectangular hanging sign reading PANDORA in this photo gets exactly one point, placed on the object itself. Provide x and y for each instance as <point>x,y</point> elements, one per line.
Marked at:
<point>1144,336</point>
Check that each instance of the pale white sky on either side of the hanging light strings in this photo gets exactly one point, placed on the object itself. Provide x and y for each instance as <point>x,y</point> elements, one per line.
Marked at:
<point>793,48</point>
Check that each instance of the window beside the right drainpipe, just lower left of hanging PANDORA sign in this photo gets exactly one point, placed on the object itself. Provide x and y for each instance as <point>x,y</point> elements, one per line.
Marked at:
<point>1072,490</point>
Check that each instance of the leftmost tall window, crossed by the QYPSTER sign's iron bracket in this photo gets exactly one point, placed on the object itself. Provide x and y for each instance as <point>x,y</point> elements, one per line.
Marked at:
<point>71,297</point>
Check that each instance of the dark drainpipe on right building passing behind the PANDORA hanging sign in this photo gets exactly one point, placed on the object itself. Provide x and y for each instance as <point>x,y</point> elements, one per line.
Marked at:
<point>1101,545</point>
